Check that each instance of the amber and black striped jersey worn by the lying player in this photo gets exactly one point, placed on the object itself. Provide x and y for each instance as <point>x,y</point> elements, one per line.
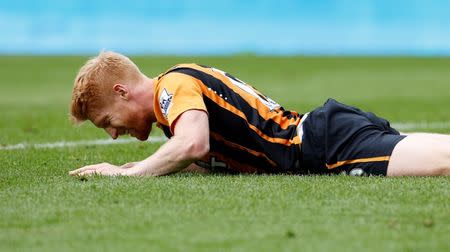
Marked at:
<point>249,132</point>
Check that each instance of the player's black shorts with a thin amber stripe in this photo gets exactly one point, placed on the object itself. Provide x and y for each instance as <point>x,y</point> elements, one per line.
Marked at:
<point>342,139</point>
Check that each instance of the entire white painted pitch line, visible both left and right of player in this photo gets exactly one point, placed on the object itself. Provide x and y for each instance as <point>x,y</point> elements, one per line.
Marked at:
<point>401,126</point>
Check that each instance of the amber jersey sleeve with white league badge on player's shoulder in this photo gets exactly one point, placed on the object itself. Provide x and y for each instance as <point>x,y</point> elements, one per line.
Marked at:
<point>178,93</point>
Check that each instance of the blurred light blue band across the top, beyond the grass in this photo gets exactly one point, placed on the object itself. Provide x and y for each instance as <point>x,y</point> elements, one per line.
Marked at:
<point>220,27</point>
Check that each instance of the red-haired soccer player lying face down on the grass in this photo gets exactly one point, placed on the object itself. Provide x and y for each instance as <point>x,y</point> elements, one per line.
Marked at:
<point>219,123</point>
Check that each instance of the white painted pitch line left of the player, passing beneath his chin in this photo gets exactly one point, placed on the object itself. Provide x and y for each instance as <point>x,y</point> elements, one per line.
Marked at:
<point>62,144</point>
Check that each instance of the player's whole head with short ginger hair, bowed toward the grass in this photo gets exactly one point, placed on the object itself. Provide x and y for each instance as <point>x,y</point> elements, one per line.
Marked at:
<point>102,93</point>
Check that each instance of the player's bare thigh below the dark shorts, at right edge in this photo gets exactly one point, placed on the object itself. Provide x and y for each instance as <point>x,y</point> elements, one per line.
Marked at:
<point>421,154</point>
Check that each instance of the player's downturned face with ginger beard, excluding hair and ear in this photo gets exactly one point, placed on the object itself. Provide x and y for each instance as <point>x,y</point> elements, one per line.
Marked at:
<point>123,118</point>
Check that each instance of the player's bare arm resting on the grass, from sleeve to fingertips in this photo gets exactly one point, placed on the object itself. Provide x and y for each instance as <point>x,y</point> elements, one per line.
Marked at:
<point>189,143</point>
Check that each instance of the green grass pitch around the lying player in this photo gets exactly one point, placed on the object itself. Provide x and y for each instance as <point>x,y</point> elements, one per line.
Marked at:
<point>43,209</point>
